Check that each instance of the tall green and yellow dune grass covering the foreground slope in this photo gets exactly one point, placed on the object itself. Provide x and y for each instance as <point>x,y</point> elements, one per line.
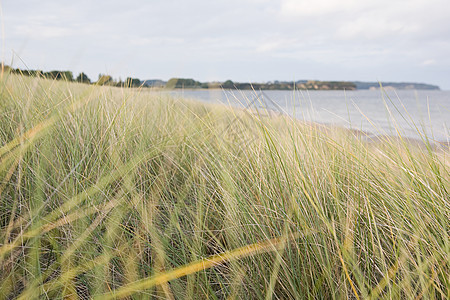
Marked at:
<point>111,193</point>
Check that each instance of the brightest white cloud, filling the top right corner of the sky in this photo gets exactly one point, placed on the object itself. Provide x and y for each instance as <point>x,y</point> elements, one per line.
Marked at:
<point>347,19</point>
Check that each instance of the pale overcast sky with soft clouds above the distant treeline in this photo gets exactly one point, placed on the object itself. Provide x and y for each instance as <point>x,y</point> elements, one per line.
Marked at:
<point>241,40</point>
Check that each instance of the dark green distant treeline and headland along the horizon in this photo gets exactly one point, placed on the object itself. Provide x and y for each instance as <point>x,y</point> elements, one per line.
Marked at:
<point>187,83</point>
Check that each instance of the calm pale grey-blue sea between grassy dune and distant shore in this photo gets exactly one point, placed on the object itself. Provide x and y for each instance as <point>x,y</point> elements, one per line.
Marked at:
<point>377,112</point>
